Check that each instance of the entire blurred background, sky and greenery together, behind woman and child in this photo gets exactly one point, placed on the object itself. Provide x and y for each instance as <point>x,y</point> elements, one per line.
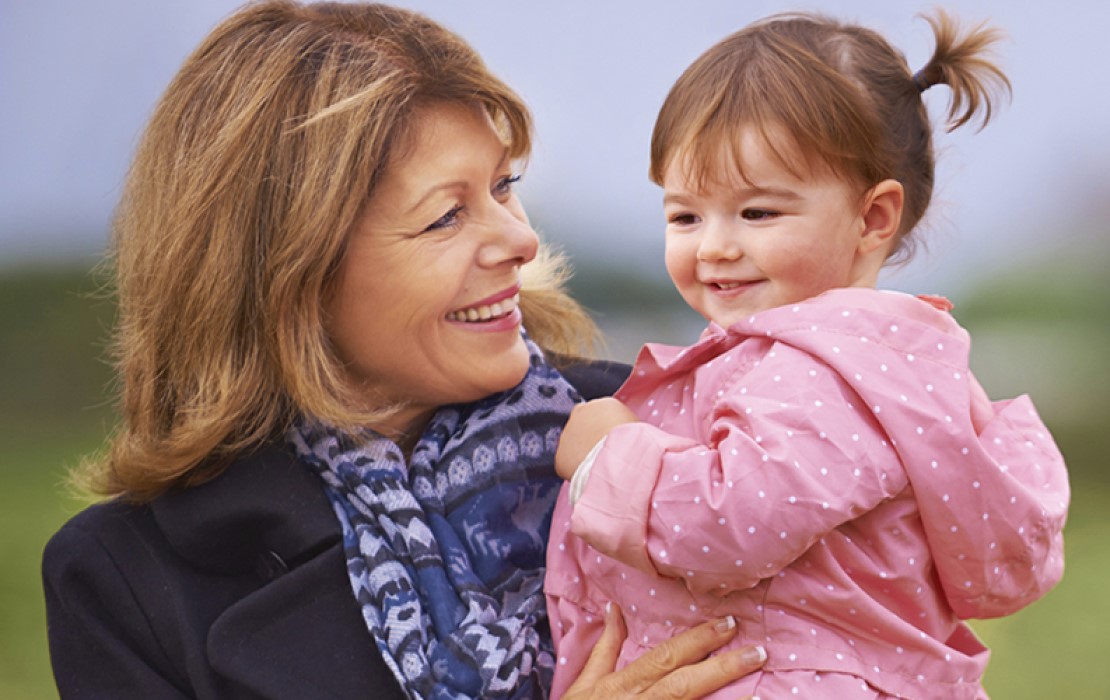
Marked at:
<point>1018,237</point>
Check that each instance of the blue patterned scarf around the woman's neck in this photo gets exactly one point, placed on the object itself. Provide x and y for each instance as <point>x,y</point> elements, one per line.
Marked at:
<point>447,553</point>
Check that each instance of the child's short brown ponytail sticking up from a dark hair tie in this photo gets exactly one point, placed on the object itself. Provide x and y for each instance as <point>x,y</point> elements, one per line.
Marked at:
<point>963,63</point>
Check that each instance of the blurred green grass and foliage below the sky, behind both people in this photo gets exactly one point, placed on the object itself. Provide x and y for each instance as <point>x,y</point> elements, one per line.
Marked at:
<point>1046,334</point>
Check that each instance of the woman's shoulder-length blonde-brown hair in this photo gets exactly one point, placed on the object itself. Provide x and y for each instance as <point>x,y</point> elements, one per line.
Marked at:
<point>255,167</point>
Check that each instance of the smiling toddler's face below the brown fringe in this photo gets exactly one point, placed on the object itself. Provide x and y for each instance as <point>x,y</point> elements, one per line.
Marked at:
<point>736,248</point>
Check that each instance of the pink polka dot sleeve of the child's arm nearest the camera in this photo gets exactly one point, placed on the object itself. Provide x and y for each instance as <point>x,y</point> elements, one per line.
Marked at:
<point>776,470</point>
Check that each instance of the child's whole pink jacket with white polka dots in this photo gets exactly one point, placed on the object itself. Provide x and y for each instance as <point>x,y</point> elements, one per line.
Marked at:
<point>833,476</point>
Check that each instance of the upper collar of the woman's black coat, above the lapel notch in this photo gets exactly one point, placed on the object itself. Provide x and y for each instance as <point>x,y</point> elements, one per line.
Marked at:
<point>265,504</point>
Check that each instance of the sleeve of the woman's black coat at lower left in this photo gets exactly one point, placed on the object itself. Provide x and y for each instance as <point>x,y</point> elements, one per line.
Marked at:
<point>102,642</point>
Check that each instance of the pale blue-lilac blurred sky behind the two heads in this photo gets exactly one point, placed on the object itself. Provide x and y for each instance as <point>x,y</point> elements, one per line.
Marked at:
<point>79,79</point>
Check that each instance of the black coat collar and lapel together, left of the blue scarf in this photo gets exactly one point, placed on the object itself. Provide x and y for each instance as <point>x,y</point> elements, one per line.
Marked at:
<point>269,514</point>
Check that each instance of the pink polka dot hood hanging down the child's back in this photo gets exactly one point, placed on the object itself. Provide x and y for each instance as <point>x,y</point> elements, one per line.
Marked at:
<point>1003,486</point>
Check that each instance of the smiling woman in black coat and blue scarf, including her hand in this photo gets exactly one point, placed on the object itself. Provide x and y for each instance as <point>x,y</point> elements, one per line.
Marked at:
<point>334,475</point>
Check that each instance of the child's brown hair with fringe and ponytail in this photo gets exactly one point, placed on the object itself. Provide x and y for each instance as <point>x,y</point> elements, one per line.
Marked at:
<point>844,96</point>
